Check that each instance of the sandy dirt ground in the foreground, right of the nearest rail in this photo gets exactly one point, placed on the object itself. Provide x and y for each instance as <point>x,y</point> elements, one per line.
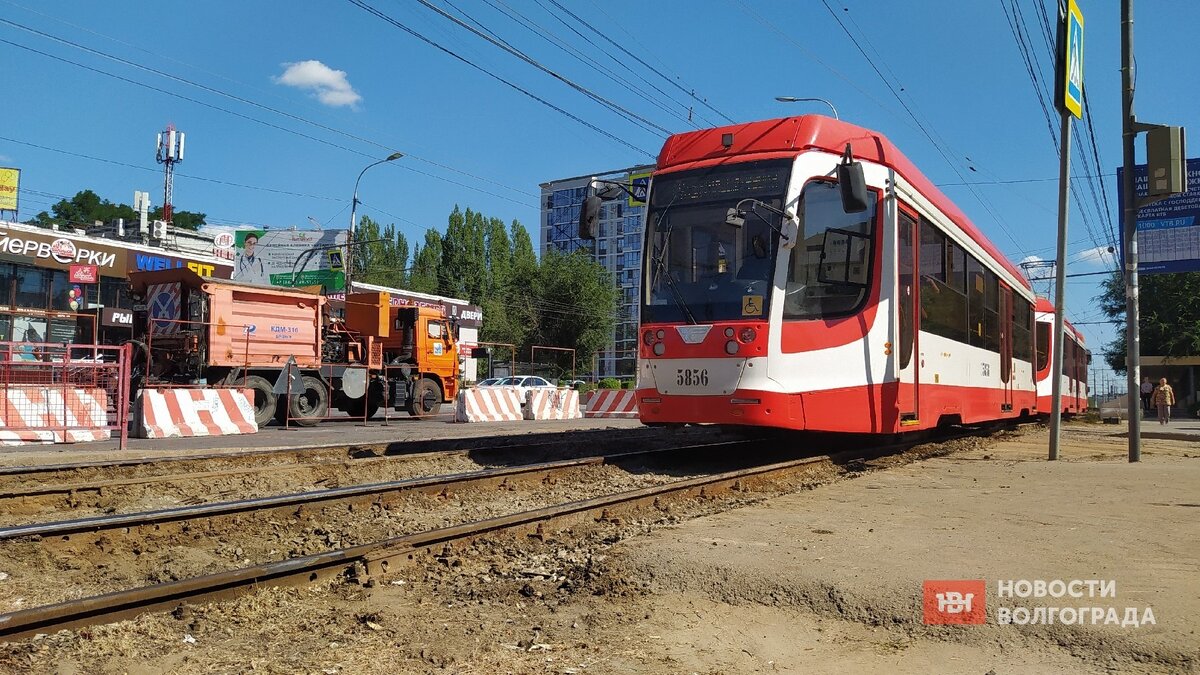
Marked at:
<point>825,580</point>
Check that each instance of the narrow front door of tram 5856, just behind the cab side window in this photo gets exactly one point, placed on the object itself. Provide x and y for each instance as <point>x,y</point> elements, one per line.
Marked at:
<point>908,349</point>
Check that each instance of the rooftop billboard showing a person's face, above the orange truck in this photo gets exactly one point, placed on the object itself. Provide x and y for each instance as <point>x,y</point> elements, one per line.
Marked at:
<point>290,258</point>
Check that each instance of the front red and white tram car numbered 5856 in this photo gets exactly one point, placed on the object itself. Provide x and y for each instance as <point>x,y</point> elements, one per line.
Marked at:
<point>783,288</point>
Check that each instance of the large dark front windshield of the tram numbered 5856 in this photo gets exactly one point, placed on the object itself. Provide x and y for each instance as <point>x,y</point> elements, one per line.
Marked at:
<point>700,268</point>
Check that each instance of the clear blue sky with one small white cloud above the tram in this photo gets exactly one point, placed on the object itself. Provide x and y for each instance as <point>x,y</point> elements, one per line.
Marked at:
<point>295,99</point>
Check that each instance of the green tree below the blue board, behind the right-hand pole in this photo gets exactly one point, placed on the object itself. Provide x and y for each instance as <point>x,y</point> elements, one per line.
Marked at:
<point>1171,316</point>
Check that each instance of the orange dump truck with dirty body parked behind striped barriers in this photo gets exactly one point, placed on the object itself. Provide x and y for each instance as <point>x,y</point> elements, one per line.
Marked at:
<point>197,330</point>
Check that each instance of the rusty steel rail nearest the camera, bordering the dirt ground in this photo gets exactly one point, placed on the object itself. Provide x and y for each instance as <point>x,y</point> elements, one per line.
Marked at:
<point>367,560</point>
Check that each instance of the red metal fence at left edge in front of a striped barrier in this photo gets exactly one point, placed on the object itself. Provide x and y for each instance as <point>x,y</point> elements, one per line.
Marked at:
<point>64,393</point>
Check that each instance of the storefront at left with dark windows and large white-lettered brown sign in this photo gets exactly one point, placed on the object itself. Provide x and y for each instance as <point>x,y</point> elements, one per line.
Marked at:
<point>65,288</point>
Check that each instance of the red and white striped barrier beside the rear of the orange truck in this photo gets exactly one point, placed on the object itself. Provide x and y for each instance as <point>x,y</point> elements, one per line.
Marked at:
<point>166,414</point>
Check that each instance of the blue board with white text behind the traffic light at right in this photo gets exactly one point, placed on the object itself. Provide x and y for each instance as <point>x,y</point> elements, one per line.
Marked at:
<point>1168,231</point>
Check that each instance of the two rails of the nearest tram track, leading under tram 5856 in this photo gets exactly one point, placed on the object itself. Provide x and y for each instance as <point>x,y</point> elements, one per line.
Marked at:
<point>369,560</point>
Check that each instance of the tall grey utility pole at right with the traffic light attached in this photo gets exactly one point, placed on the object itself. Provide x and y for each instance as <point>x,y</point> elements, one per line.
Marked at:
<point>1129,134</point>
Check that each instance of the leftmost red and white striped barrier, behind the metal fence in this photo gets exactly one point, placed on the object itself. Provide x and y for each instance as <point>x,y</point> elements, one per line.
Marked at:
<point>29,414</point>
